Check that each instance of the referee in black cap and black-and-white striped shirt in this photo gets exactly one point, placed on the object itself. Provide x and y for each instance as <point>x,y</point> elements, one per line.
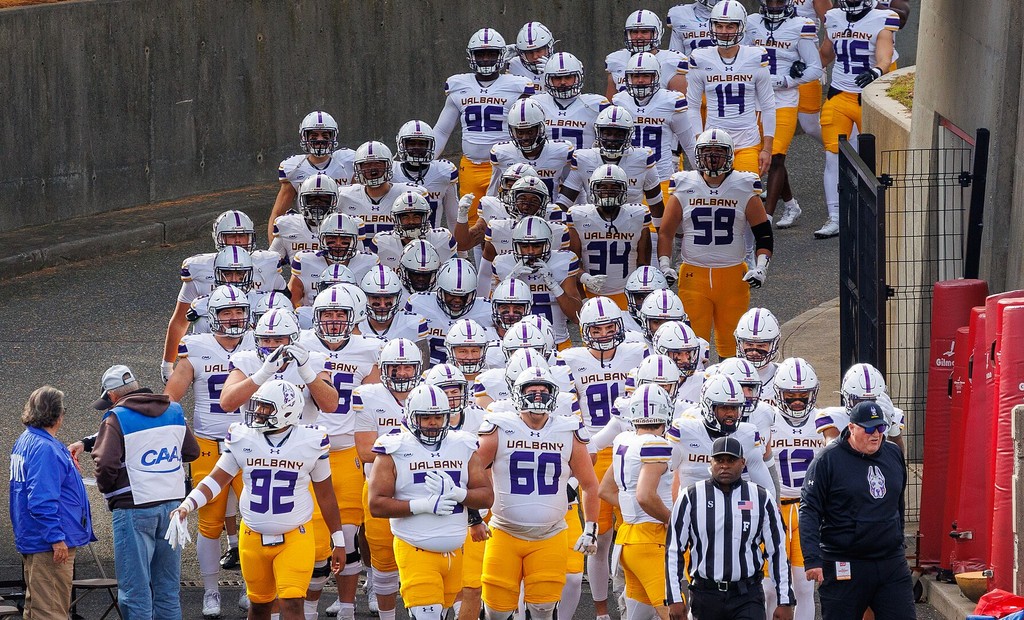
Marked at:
<point>723,522</point>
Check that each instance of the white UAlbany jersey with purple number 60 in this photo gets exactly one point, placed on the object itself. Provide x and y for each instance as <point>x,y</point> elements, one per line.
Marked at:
<point>530,474</point>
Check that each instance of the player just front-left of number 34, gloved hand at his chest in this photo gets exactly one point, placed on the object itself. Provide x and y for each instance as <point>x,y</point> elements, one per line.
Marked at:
<point>551,276</point>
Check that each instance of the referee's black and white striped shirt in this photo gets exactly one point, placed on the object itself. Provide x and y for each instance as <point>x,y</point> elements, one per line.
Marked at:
<point>724,531</point>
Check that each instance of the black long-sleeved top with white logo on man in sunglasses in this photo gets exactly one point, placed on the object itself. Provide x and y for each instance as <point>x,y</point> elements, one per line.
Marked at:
<point>852,505</point>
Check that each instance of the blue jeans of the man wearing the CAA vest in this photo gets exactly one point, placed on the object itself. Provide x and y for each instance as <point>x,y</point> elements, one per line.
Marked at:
<point>149,570</point>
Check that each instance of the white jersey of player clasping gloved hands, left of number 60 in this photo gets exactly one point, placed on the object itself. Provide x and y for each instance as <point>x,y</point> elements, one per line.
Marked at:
<point>442,534</point>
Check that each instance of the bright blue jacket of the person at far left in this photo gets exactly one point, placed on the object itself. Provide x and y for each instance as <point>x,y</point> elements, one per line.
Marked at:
<point>49,503</point>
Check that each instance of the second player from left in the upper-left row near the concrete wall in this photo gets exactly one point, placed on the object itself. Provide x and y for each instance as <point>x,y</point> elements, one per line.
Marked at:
<point>371,197</point>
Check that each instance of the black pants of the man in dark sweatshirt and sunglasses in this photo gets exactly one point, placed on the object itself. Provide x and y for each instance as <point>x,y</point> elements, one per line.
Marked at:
<point>884,586</point>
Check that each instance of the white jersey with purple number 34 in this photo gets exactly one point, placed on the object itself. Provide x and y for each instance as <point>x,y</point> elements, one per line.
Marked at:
<point>610,249</point>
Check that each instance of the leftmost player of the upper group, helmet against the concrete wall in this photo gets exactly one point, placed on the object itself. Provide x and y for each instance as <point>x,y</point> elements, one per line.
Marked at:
<point>319,140</point>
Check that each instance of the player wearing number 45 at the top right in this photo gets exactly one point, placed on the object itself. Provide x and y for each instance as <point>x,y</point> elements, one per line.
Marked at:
<point>861,40</point>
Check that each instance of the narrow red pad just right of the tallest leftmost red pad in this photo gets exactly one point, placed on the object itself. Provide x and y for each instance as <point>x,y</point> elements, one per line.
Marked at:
<point>960,393</point>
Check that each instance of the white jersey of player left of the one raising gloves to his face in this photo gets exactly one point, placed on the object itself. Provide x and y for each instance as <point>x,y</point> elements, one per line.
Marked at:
<point>211,365</point>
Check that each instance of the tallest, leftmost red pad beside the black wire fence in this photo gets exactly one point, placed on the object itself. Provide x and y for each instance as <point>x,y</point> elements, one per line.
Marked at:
<point>951,310</point>
